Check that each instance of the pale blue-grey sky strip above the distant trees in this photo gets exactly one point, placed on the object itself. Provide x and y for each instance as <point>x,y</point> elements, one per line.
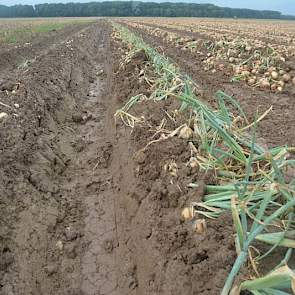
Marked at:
<point>285,6</point>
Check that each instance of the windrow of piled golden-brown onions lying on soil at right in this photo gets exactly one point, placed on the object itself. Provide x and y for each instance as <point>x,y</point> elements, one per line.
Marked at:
<point>242,59</point>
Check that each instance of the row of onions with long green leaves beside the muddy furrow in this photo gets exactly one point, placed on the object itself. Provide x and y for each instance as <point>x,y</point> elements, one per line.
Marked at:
<point>251,181</point>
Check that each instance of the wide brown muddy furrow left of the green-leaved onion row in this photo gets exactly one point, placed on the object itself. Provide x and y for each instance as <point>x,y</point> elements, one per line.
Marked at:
<point>71,214</point>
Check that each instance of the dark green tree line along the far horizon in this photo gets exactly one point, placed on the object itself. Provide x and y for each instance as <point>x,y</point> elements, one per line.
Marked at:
<point>135,8</point>
